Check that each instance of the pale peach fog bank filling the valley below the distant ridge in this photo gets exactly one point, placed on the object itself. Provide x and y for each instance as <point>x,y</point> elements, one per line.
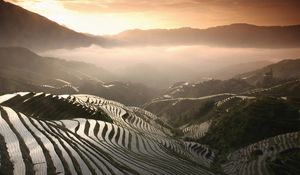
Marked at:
<point>161,66</point>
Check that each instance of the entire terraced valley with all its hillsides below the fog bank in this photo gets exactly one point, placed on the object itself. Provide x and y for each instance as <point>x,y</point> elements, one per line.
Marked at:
<point>71,116</point>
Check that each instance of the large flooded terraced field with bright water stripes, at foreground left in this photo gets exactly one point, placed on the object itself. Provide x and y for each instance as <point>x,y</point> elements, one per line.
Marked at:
<point>90,135</point>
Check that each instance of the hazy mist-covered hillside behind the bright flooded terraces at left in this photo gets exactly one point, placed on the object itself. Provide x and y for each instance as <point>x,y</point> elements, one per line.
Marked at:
<point>64,77</point>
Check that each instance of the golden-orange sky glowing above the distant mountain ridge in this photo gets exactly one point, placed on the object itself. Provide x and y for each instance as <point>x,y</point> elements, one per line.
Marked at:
<point>113,16</point>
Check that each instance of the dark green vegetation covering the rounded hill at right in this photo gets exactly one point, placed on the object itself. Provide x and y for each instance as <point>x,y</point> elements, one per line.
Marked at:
<point>251,121</point>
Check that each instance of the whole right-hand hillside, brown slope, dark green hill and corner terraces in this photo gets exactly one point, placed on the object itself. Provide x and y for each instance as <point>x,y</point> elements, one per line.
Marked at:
<point>229,123</point>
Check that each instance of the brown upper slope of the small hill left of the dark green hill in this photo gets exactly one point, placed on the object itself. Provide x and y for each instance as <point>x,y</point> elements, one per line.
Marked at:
<point>184,111</point>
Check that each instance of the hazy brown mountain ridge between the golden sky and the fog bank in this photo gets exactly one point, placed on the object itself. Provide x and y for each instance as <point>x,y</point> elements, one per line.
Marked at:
<point>28,29</point>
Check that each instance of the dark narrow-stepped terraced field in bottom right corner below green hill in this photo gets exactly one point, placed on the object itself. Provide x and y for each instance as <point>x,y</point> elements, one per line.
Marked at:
<point>258,158</point>
